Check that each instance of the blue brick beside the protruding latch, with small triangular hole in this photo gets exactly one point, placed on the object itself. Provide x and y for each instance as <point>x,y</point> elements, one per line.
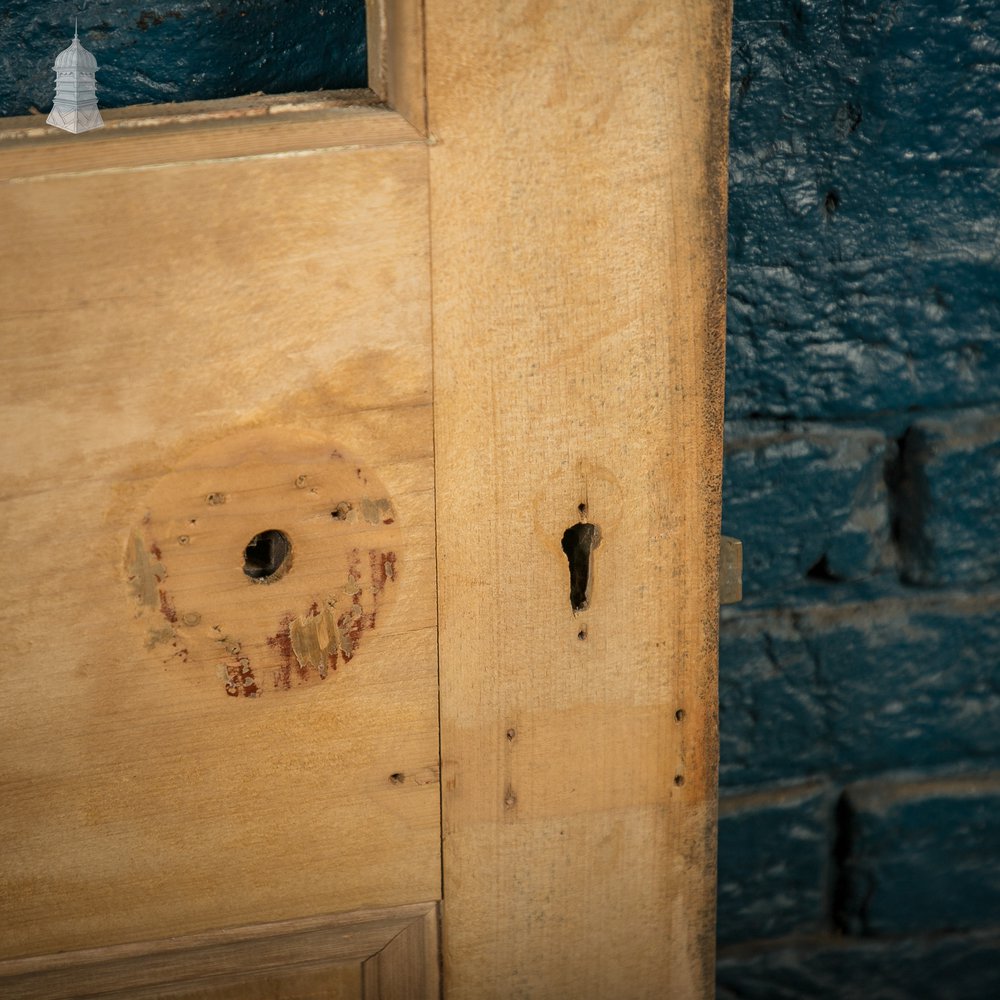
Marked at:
<point>806,503</point>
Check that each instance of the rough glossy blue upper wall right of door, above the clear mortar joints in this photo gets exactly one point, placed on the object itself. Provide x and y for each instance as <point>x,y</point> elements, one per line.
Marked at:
<point>864,225</point>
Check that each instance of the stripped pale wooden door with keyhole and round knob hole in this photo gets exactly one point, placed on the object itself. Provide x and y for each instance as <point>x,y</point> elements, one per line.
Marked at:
<point>312,404</point>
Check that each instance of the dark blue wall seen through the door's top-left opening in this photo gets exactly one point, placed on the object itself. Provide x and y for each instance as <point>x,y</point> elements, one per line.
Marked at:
<point>184,50</point>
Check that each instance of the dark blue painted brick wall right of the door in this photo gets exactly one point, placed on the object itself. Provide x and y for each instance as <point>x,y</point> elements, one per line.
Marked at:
<point>859,853</point>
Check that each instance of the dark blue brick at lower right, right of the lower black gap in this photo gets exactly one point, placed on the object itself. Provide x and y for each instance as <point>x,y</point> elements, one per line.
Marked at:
<point>921,856</point>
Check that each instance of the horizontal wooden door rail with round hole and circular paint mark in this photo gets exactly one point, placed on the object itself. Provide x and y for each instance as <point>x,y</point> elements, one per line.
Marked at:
<point>247,321</point>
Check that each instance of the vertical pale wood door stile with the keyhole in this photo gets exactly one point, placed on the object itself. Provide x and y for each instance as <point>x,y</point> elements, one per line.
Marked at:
<point>578,259</point>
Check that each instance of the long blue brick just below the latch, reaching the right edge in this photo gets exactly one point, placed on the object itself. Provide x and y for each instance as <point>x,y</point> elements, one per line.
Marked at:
<point>855,690</point>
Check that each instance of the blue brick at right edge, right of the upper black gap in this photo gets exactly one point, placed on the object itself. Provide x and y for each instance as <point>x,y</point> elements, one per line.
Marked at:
<point>949,500</point>
